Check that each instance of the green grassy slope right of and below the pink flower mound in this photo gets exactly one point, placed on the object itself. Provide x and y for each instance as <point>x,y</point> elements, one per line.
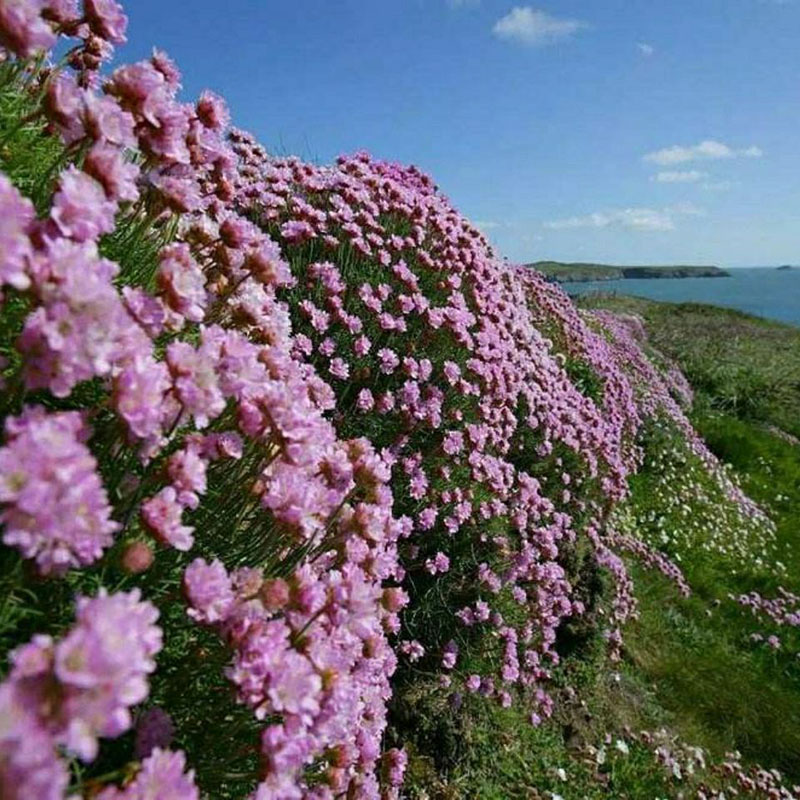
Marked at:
<point>690,664</point>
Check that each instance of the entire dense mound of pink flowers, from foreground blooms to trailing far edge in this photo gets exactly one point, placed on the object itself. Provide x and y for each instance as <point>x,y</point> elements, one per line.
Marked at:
<point>305,411</point>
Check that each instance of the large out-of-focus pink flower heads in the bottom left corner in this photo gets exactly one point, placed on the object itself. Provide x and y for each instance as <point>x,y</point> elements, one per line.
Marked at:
<point>69,693</point>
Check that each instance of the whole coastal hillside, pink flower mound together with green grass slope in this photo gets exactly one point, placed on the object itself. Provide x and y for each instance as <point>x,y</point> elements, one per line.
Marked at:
<point>306,494</point>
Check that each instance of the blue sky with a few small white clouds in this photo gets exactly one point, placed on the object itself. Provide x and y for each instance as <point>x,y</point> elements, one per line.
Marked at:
<point>626,131</point>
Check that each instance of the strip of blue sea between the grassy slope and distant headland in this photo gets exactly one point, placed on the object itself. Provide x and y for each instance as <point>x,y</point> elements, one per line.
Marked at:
<point>764,291</point>
